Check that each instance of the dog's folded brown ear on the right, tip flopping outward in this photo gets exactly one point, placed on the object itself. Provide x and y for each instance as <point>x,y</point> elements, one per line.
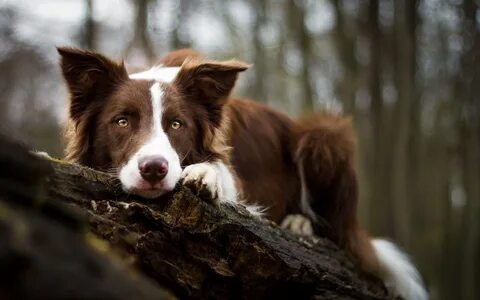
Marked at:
<point>210,82</point>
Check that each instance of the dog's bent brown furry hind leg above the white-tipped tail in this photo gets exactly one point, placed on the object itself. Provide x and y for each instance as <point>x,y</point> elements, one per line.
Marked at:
<point>324,156</point>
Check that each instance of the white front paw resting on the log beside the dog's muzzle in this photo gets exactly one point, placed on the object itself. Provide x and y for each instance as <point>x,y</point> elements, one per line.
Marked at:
<point>212,181</point>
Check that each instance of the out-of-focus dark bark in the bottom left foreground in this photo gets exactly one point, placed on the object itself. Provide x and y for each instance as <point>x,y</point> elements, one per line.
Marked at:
<point>46,251</point>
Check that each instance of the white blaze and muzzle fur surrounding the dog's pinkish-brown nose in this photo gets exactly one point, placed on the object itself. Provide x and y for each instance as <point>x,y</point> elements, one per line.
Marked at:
<point>157,145</point>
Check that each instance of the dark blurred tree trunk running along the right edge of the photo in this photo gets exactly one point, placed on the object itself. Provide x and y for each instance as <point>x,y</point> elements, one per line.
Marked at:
<point>469,149</point>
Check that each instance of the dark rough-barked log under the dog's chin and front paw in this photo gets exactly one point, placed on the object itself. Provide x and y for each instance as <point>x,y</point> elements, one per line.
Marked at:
<point>198,250</point>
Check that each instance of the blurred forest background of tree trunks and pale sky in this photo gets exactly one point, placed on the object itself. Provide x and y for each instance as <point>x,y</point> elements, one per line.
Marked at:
<point>407,71</point>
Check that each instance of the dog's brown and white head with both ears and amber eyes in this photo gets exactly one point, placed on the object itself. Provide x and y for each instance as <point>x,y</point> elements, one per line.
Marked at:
<point>144,127</point>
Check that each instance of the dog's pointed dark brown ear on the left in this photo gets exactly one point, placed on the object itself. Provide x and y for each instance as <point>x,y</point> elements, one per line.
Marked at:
<point>90,77</point>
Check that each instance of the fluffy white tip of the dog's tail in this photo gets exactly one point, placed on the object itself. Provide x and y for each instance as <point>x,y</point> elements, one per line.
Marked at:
<point>399,274</point>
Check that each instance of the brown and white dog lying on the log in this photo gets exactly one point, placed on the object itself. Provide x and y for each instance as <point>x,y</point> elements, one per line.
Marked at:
<point>177,122</point>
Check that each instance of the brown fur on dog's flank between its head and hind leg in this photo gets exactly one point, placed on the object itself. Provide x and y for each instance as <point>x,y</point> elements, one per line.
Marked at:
<point>261,157</point>
